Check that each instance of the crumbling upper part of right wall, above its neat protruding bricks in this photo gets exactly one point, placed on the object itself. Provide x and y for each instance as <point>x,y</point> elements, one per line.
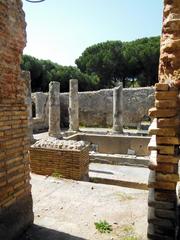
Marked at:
<point>169,68</point>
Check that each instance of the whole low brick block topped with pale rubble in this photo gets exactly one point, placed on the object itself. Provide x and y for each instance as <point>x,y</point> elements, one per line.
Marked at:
<point>60,158</point>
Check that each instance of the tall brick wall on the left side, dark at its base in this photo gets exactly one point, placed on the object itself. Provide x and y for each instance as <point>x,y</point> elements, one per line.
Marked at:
<point>15,190</point>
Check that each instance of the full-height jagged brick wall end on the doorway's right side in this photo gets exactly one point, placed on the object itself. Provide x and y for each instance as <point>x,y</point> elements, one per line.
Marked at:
<point>165,141</point>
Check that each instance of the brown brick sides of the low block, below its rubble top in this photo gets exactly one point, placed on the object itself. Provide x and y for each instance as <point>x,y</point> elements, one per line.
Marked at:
<point>68,163</point>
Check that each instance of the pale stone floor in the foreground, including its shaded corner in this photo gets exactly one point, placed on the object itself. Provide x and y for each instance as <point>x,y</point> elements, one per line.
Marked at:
<point>67,210</point>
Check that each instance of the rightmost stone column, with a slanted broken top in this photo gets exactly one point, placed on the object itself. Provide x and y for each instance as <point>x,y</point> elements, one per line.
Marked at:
<point>118,109</point>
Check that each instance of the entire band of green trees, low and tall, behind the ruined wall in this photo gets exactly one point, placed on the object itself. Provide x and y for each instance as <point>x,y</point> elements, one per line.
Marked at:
<point>101,65</point>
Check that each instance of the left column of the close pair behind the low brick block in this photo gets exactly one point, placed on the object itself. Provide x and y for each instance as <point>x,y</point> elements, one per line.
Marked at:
<point>54,109</point>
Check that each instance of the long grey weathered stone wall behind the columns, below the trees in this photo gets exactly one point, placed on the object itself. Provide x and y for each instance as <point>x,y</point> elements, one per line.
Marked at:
<point>96,107</point>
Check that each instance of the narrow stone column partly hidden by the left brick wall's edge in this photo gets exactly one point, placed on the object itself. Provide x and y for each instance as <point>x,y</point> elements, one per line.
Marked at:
<point>27,79</point>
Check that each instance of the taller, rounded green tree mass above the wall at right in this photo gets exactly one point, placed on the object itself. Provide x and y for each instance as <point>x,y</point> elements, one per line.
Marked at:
<point>114,61</point>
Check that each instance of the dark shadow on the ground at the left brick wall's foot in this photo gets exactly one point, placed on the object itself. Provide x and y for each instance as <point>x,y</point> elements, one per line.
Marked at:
<point>36,232</point>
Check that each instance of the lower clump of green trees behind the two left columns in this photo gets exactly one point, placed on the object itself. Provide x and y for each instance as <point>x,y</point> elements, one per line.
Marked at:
<point>45,71</point>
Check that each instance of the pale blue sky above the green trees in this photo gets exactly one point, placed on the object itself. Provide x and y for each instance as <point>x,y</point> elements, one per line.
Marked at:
<point>60,30</point>
